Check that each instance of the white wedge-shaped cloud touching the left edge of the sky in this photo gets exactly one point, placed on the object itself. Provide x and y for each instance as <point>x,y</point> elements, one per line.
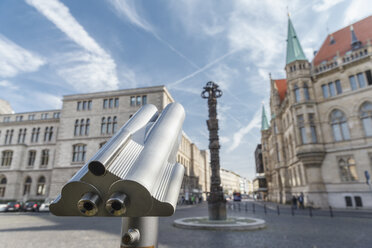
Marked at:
<point>15,59</point>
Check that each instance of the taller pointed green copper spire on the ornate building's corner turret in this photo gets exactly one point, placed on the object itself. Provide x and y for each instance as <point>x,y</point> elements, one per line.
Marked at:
<point>294,49</point>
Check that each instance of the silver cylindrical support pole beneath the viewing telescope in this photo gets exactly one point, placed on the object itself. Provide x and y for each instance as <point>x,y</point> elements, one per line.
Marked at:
<point>140,232</point>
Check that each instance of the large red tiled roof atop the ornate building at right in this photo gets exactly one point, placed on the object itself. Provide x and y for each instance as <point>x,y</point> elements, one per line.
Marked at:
<point>343,39</point>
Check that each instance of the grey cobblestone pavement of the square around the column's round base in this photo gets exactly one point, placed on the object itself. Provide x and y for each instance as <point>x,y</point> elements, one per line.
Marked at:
<point>43,230</point>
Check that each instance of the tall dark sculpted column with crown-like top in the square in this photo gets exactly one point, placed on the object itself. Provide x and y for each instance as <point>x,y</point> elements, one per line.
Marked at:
<point>216,200</point>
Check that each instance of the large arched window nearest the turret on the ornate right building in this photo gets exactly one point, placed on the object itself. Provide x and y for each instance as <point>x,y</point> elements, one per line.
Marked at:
<point>339,126</point>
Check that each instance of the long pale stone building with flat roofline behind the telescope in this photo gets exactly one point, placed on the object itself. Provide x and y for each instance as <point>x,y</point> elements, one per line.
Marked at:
<point>40,151</point>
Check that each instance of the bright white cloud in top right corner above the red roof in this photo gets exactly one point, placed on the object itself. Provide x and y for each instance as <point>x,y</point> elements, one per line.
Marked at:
<point>357,10</point>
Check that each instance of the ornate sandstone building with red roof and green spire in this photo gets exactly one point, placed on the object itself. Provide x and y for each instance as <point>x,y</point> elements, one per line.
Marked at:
<point>319,142</point>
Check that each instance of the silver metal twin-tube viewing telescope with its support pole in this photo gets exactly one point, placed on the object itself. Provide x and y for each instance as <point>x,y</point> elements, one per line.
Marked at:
<point>134,176</point>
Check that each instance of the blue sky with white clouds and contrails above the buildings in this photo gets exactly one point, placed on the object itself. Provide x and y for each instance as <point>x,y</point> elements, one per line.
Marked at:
<point>50,48</point>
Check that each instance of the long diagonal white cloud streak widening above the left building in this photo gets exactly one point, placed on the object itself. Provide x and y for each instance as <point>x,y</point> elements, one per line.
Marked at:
<point>89,69</point>
